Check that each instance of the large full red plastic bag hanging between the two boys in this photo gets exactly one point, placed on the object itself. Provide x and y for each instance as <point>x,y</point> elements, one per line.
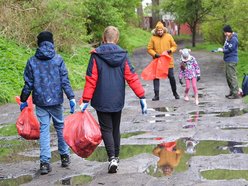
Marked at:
<point>82,133</point>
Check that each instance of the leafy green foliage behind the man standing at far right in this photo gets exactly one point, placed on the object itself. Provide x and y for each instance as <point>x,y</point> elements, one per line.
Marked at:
<point>222,15</point>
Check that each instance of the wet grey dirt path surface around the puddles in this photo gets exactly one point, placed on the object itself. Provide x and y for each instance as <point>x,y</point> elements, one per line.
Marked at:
<point>212,88</point>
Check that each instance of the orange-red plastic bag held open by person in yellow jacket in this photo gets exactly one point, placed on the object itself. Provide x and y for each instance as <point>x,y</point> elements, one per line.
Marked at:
<point>157,69</point>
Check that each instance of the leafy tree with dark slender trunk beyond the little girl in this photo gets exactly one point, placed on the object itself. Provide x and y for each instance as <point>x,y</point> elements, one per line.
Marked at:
<point>192,12</point>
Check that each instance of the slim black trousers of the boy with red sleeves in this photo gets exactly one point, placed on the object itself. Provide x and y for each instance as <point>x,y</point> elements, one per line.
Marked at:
<point>110,128</point>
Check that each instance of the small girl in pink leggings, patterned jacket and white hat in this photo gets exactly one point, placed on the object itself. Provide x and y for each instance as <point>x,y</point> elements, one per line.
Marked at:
<point>190,71</point>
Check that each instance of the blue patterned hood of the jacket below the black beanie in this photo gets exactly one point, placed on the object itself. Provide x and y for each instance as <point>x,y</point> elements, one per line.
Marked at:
<point>45,51</point>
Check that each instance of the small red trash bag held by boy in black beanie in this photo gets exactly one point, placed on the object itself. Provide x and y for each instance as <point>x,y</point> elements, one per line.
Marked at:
<point>27,124</point>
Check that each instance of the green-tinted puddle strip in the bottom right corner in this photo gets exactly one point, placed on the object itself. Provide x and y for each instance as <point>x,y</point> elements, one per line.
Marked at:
<point>223,174</point>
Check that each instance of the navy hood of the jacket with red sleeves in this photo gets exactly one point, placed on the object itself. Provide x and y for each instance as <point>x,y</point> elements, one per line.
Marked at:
<point>111,54</point>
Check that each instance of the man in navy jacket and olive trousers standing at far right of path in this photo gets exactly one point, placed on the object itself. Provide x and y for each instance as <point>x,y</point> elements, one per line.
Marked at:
<point>230,50</point>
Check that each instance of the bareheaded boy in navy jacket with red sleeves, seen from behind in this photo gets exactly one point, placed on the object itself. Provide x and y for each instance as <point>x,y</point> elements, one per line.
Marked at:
<point>108,69</point>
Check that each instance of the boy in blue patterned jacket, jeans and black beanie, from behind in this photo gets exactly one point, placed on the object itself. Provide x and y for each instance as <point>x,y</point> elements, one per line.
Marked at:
<point>46,77</point>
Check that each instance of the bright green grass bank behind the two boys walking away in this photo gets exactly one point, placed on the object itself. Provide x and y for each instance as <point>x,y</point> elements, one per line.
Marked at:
<point>13,59</point>
